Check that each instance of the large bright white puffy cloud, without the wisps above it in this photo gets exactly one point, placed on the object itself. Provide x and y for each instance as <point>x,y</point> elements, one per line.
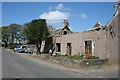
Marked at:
<point>54,16</point>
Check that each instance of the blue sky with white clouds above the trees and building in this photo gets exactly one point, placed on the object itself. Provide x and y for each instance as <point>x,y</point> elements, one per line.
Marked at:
<point>80,15</point>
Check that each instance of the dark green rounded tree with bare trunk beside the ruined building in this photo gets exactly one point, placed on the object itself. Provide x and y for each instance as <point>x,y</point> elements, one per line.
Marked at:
<point>36,31</point>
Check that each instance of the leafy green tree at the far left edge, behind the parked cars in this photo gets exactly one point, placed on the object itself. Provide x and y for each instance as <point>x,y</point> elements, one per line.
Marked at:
<point>11,33</point>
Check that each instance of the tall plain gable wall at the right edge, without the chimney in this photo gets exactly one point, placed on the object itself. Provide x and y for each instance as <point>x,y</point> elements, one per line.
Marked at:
<point>112,40</point>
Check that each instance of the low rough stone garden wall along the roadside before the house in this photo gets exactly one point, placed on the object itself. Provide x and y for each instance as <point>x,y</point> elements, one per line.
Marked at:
<point>78,63</point>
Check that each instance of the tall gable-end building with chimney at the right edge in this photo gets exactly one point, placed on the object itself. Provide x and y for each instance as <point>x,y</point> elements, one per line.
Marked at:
<point>113,35</point>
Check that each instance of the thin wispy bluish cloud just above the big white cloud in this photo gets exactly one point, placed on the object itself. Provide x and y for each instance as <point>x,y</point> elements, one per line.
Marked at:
<point>59,7</point>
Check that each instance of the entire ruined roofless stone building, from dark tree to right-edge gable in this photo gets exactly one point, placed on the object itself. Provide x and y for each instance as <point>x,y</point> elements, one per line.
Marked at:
<point>101,41</point>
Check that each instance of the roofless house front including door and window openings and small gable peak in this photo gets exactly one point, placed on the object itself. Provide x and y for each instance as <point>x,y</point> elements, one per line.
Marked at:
<point>88,43</point>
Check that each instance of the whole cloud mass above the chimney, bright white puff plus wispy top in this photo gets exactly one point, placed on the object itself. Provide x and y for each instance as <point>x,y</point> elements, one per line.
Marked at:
<point>56,14</point>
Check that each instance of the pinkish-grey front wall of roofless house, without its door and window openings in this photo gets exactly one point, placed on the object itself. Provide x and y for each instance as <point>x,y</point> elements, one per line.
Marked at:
<point>77,41</point>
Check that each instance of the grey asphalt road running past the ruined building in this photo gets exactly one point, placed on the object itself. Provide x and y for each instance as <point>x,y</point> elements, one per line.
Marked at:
<point>15,65</point>
